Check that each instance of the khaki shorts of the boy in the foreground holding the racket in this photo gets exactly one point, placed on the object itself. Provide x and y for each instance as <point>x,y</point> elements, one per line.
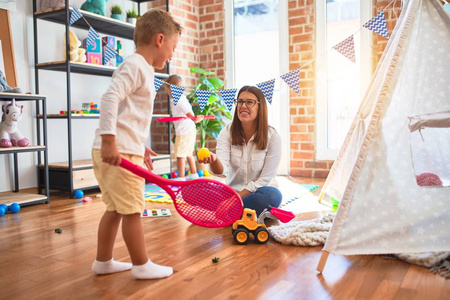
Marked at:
<point>122,191</point>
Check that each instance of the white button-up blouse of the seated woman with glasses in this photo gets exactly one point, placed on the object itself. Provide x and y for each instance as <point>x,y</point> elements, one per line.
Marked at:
<point>245,166</point>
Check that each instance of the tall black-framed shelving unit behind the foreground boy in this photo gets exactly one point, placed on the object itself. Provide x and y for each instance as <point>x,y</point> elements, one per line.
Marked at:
<point>72,175</point>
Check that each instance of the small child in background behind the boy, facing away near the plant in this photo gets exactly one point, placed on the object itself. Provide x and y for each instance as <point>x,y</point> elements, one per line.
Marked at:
<point>185,132</point>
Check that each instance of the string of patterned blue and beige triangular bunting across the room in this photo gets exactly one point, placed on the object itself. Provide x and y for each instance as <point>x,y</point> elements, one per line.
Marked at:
<point>292,78</point>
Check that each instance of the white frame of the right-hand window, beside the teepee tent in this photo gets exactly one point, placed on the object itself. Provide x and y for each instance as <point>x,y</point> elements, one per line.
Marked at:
<point>322,150</point>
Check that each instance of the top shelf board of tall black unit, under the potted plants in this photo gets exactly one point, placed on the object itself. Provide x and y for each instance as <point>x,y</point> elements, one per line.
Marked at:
<point>100,23</point>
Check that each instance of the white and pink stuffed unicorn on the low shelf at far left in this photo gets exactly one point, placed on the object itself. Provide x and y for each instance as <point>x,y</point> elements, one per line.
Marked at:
<point>9,133</point>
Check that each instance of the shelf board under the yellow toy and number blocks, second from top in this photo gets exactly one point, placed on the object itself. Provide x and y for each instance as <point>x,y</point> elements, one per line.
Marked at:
<point>83,68</point>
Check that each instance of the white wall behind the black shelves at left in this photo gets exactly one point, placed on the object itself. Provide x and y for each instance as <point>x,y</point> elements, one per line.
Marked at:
<point>85,88</point>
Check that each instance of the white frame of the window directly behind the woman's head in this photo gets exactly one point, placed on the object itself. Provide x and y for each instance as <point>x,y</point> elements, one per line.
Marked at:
<point>284,68</point>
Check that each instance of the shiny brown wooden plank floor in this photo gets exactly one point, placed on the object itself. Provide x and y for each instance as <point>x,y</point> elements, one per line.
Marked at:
<point>37,263</point>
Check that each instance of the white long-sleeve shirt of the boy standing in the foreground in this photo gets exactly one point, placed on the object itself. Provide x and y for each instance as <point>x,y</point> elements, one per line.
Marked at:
<point>126,107</point>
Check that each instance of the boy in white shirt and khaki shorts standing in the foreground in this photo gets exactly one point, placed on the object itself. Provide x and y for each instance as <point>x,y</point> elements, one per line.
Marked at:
<point>127,108</point>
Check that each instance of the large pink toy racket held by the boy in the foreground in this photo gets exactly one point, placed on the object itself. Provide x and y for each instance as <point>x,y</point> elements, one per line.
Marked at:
<point>204,202</point>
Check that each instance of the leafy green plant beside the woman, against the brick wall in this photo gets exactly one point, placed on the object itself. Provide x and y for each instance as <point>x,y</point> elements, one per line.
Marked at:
<point>214,106</point>
